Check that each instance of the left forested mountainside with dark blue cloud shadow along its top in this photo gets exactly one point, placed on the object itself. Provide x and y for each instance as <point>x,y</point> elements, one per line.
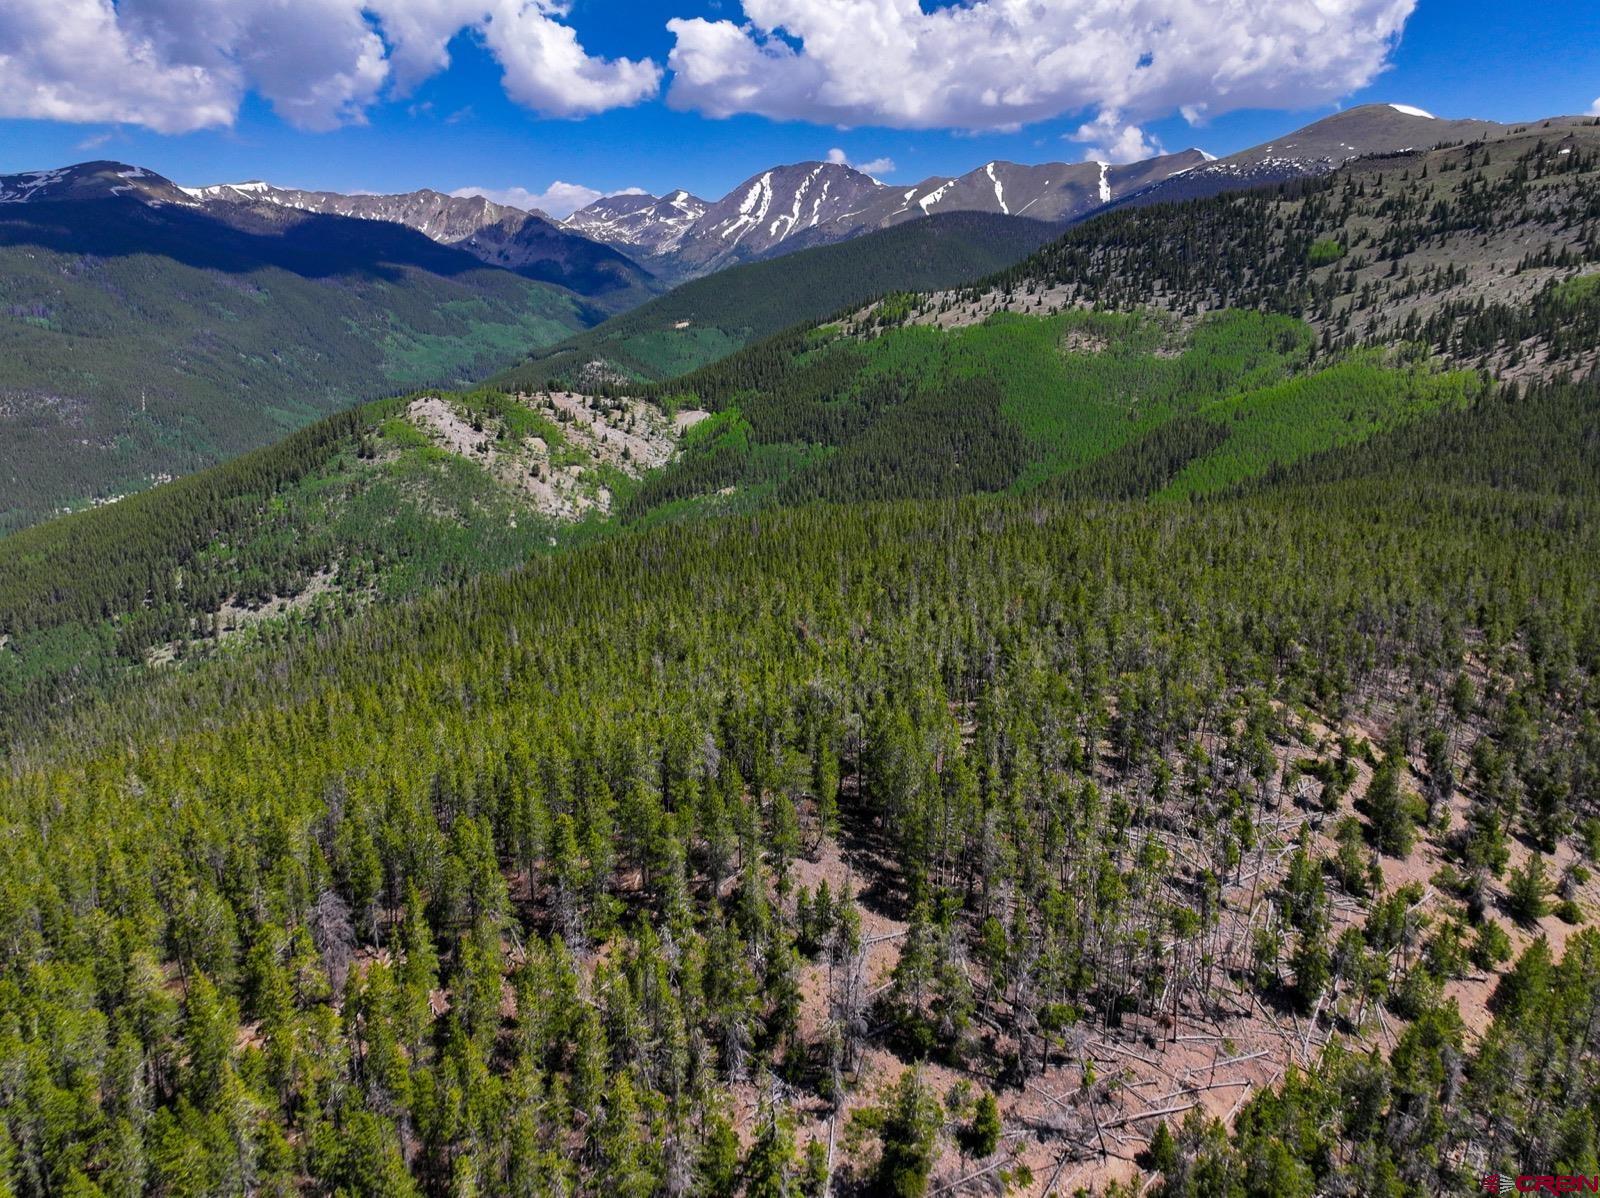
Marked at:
<point>142,343</point>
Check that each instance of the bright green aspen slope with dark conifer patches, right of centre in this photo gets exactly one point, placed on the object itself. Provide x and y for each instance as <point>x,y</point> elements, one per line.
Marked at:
<point>1026,402</point>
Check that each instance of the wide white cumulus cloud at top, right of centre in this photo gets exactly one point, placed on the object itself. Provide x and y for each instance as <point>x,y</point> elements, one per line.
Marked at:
<point>993,65</point>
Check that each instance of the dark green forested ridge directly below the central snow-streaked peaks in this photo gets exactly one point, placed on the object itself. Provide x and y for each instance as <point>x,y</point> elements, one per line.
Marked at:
<point>710,317</point>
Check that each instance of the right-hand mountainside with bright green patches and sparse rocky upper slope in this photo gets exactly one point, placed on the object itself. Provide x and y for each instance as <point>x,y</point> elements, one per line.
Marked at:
<point>1177,349</point>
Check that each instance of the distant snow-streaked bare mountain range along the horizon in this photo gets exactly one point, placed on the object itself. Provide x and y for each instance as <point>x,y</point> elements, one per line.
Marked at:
<point>778,210</point>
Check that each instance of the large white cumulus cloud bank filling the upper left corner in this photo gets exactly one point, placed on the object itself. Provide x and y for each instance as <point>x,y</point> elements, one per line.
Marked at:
<point>186,65</point>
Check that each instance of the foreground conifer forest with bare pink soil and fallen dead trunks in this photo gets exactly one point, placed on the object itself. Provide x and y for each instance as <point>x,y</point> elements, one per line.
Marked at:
<point>521,890</point>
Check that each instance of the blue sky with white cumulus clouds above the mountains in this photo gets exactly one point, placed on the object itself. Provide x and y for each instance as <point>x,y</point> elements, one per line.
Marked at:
<point>457,127</point>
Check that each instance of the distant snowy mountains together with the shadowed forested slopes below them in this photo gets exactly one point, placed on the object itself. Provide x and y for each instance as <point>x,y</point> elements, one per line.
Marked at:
<point>210,356</point>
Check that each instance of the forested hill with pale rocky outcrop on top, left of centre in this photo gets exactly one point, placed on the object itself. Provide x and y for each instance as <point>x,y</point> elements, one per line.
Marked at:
<point>377,505</point>
